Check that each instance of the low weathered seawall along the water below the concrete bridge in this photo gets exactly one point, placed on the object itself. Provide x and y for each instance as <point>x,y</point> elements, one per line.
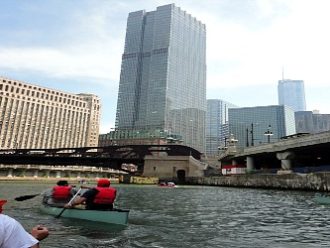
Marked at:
<point>294,181</point>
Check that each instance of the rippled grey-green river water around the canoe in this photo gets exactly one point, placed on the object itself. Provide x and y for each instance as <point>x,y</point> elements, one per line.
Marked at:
<point>185,217</point>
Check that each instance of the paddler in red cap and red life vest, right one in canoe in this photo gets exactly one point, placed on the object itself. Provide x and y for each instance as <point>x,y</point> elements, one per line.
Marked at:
<point>100,197</point>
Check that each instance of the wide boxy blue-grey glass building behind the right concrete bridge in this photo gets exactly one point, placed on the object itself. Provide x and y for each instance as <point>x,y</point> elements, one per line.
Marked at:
<point>252,126</point>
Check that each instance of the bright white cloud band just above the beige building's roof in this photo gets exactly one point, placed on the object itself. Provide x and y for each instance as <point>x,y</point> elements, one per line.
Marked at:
<point>59,63</point>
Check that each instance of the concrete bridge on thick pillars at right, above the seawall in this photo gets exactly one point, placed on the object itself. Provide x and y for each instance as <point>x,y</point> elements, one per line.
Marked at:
<point>296,151</point>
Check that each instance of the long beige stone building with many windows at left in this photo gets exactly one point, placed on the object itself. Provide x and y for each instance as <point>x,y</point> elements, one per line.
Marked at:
<point>35,117</point>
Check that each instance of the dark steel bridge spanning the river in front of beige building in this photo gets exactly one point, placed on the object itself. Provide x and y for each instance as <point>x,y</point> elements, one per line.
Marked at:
<point>108,156</point>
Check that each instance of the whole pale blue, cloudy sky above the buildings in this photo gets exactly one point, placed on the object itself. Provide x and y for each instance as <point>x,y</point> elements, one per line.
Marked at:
<point>76,46</point>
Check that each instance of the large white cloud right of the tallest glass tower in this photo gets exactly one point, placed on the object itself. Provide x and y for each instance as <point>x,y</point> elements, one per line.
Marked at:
<point>241,53</point>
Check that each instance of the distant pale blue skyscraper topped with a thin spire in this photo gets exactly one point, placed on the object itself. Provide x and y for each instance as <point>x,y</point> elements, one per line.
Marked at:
<point>292,94</point>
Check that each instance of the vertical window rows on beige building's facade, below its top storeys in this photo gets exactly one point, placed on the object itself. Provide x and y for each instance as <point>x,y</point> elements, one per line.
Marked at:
<point>31,125</point>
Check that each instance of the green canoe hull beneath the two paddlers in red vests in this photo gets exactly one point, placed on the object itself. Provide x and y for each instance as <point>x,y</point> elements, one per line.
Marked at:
<point>116,216</point>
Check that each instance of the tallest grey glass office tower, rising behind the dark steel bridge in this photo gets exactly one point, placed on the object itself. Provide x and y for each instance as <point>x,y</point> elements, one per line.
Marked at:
<point>162,85</point>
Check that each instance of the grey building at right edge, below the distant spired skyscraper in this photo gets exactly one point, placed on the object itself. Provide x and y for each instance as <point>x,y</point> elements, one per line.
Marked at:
<point>312,122</point>
